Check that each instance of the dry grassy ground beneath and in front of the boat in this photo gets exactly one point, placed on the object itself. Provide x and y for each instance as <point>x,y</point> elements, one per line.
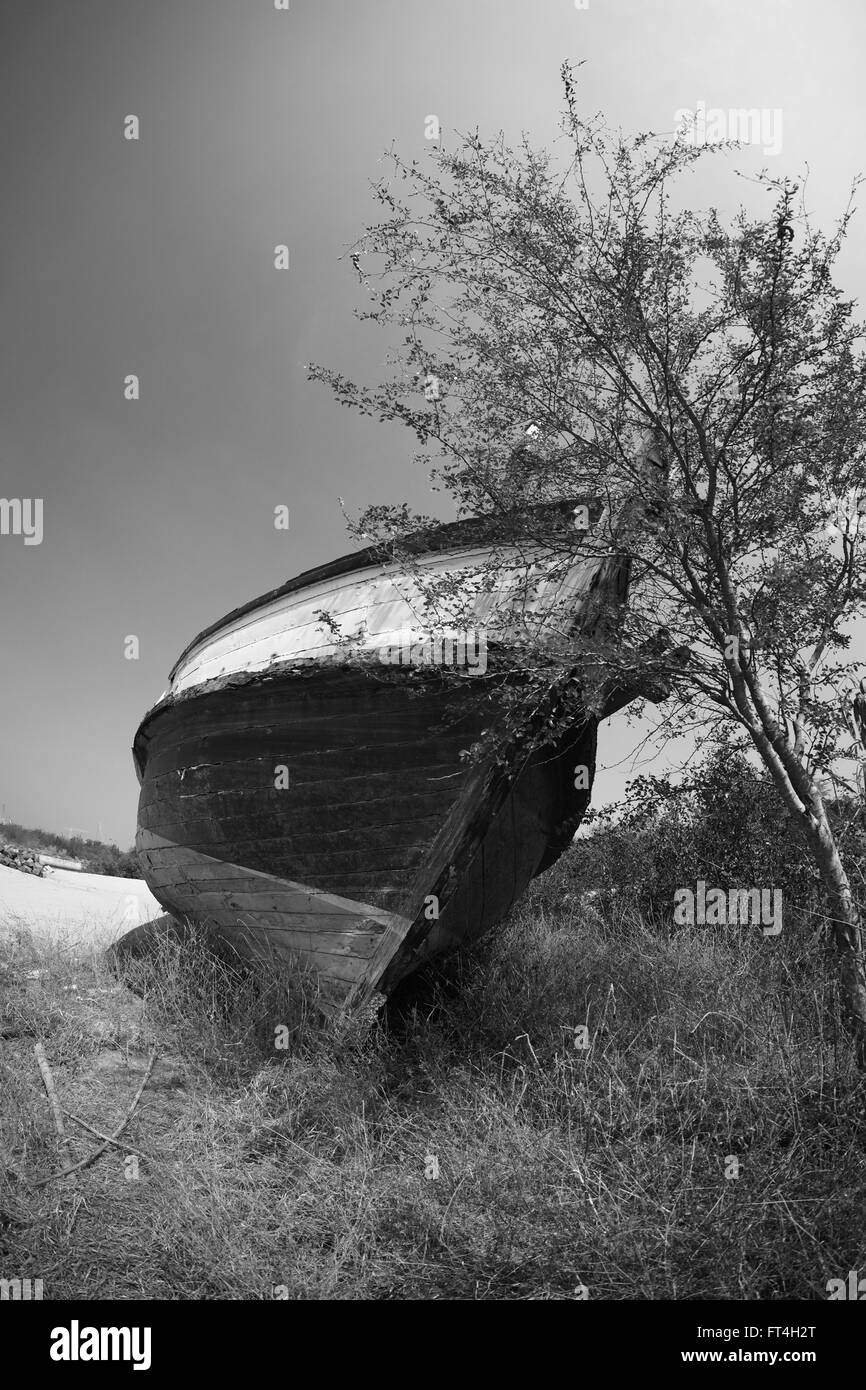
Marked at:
<point>468,1147</point>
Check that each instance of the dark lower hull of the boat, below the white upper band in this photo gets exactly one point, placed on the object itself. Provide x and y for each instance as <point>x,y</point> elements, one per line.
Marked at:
<point>325,818</point>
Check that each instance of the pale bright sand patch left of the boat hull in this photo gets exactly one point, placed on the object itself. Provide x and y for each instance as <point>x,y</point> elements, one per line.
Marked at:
<point>76,908</point>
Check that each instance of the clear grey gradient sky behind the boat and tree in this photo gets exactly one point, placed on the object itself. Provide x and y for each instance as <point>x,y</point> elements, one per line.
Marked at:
<point>263,127</point>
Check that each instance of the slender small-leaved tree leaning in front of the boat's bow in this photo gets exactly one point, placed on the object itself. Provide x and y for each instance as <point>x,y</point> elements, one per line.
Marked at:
<point>566,332</point>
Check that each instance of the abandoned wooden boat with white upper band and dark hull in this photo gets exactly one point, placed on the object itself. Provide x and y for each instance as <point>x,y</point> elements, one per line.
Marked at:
<point>309,810</point>
